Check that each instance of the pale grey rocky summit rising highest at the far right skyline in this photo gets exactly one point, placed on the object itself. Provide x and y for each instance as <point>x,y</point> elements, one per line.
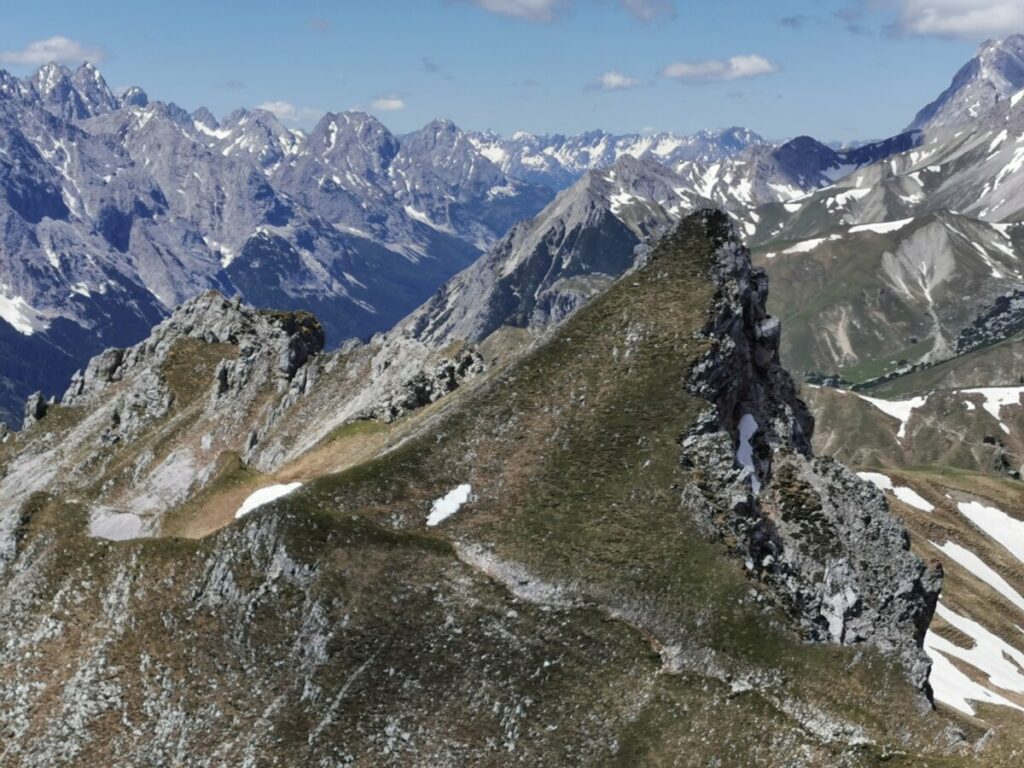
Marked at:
<point>996,73</point>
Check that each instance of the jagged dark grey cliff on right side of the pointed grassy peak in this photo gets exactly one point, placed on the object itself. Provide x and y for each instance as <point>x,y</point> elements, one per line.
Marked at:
<point>825,540</point>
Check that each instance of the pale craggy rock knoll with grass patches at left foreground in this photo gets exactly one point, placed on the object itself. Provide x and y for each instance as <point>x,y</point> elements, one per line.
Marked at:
<point>155,420</point>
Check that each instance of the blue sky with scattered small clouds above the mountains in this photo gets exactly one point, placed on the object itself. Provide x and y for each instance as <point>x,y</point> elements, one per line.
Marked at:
<point>834,69</point>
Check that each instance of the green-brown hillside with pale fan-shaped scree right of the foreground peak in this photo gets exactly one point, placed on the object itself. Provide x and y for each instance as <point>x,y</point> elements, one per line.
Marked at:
<point>866,302</point>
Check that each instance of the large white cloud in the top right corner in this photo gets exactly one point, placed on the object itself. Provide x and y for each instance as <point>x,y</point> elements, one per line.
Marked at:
<point>972,20</point>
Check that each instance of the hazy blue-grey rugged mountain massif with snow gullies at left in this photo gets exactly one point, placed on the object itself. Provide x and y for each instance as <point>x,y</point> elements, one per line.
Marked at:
<point>115,211</point>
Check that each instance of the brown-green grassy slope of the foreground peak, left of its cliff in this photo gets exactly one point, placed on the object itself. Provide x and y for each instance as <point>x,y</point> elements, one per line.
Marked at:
<point>576,611</point>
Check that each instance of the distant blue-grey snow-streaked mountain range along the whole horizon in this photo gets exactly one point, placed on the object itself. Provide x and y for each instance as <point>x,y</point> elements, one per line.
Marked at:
<point>115,209</point>
